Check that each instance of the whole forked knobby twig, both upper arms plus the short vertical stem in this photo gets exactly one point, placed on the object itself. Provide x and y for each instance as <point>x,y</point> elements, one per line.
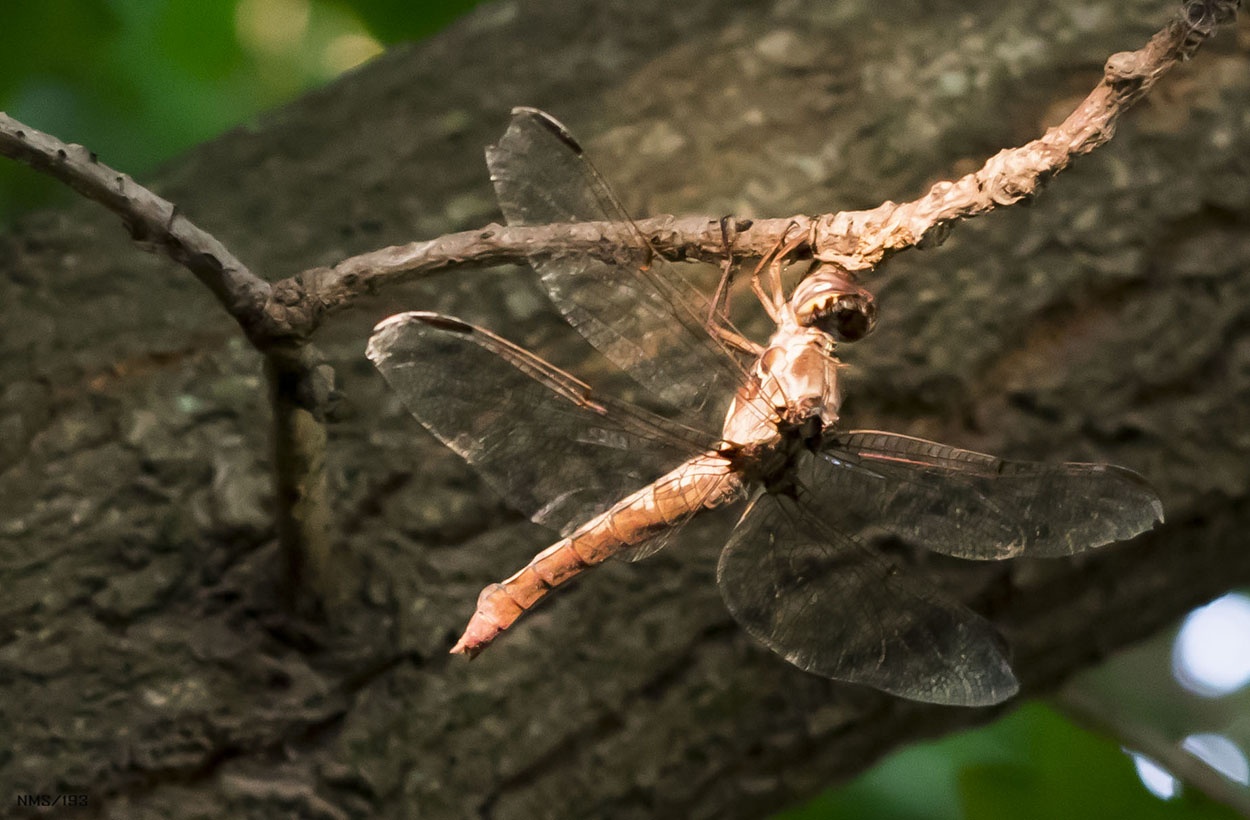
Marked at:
<point>278,319</point>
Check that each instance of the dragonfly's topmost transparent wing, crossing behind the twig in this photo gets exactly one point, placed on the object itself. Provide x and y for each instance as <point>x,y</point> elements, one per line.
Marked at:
<point>626,301</point>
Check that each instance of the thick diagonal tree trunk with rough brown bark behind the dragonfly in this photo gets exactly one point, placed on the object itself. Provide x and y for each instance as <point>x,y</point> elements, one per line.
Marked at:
<point>144,654</point>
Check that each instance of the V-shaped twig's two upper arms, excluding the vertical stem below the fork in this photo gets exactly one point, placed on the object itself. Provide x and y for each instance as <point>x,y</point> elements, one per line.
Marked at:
<point>854,241</point>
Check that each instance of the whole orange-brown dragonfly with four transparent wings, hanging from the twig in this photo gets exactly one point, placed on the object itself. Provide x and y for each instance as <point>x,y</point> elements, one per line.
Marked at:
<point>743,423</point>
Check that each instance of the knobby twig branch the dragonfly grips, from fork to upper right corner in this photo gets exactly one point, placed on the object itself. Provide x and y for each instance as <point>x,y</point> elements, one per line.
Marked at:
<point>857,242</point>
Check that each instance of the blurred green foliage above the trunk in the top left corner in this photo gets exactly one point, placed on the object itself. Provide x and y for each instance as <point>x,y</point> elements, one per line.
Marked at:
<point>138,82</point>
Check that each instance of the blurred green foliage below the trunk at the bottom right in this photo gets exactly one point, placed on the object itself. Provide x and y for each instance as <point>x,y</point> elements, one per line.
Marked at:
<point>1031,766</point>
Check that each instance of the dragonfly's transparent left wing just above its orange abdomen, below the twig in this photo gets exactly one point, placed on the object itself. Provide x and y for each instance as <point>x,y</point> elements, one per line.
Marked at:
<point>538,436</point>
